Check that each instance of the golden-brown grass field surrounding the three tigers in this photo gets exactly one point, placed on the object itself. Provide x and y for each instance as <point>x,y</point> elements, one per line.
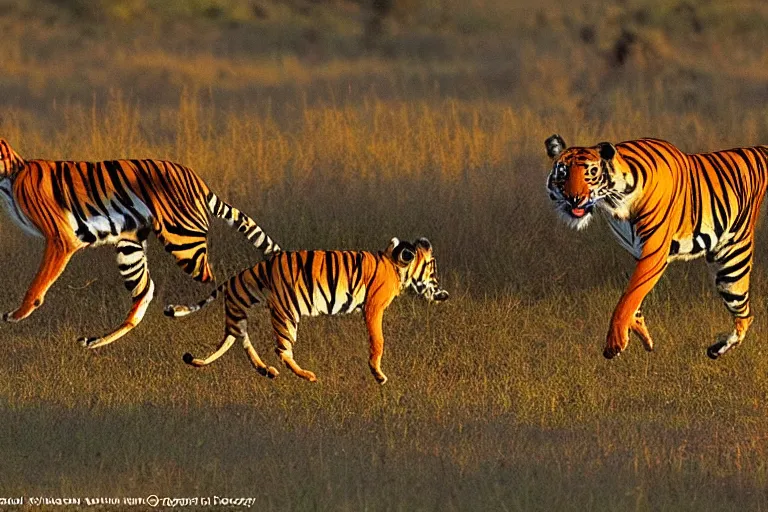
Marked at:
<point>499,399</point>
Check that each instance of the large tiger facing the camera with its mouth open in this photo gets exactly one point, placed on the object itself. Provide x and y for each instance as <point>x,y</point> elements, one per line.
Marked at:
<point>663,205</point>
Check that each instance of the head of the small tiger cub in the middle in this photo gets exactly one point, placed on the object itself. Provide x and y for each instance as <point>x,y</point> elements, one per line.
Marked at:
<point>417,268</point>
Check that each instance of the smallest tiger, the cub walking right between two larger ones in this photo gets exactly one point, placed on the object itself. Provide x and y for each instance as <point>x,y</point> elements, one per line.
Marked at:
<point>295,284</point>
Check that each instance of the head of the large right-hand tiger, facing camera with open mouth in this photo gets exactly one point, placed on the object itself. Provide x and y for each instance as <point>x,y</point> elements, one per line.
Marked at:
<point>585,177</point>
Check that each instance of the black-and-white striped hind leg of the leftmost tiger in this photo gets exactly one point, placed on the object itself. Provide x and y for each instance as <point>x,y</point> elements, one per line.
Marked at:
<point>132,263</point>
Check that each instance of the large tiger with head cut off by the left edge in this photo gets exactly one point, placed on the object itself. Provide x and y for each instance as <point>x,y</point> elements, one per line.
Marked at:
<point>77,204</point>
